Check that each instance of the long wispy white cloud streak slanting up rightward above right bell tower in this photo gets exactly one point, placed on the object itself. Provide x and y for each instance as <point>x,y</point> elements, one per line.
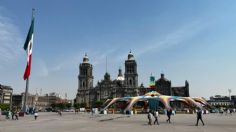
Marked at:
<point>175,37</point>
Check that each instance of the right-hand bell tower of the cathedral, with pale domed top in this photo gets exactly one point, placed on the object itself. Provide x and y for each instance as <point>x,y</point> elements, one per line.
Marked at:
<point>131,75</point>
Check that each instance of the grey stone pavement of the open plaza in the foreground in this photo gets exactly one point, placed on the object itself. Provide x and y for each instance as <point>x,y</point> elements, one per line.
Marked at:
<point>82,122</point>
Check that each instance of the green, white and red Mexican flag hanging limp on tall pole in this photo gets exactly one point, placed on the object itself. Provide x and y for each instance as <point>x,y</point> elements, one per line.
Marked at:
<point>28,48</point>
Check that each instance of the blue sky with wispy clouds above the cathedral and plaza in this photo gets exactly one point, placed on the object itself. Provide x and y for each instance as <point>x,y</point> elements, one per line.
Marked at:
<point>186,39</point>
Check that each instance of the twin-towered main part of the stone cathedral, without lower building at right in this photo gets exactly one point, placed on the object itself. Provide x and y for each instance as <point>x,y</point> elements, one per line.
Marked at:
<point>126,85</point>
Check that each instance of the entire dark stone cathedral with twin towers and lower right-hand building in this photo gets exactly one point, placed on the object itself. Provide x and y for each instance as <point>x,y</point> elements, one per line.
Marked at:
<point>123,86</point>
